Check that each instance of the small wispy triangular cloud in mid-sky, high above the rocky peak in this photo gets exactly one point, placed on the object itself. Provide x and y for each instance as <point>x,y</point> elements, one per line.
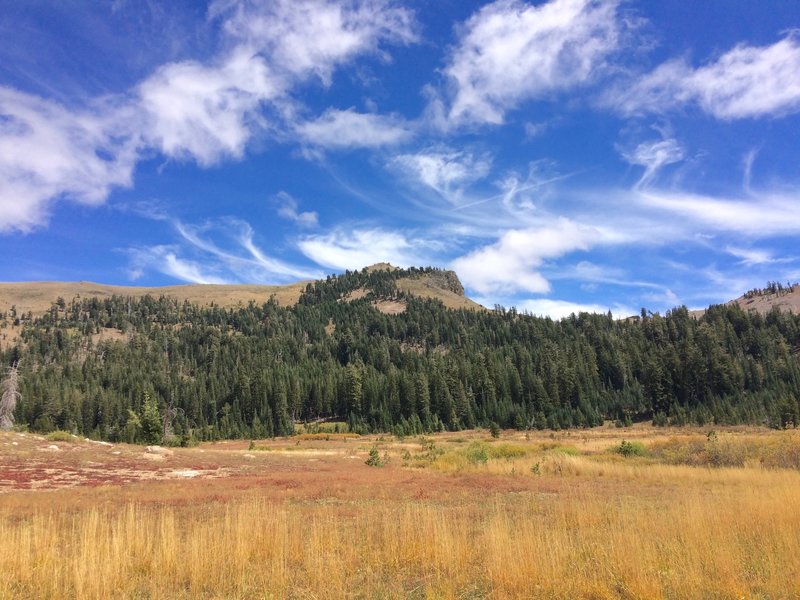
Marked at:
<point>446,171</point>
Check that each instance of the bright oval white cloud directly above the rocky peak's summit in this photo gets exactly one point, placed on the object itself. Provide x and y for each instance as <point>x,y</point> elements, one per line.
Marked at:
<point>363,247</point>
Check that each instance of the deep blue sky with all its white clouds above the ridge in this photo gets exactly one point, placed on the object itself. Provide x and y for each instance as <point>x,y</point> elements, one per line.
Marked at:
<point>560,156</point>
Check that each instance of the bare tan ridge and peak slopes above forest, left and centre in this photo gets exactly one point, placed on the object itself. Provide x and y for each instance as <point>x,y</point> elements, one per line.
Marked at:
<point>37,297</point>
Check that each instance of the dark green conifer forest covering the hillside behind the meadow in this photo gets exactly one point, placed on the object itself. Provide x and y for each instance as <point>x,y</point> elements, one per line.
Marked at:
<point>209,372</point>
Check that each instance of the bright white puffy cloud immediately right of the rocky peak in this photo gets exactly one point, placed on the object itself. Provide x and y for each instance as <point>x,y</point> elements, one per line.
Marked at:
<point>511,264</point>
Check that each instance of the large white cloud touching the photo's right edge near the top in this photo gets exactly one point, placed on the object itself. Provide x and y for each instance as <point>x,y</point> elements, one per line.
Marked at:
<point>745,82</point>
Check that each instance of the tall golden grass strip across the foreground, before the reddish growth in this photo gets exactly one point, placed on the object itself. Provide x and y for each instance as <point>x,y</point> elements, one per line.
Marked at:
<point>577,545</point>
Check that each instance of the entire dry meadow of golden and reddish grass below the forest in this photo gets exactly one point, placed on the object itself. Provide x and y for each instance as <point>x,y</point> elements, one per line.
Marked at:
<point>669,513</point>
